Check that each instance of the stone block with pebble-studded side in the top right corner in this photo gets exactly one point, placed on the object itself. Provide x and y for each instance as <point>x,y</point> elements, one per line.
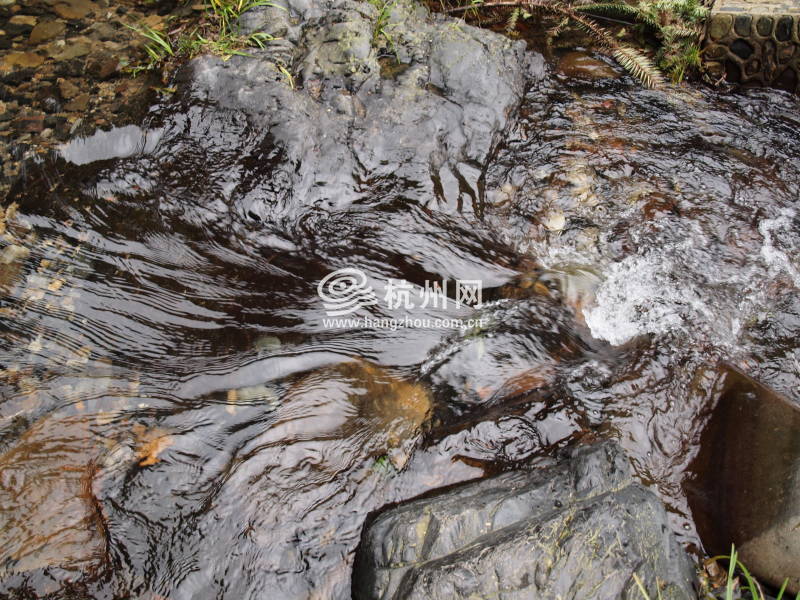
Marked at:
<point>755,43</point>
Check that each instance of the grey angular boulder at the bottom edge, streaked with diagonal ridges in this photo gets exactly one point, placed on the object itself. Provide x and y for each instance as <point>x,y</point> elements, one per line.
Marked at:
<point>576,528</point>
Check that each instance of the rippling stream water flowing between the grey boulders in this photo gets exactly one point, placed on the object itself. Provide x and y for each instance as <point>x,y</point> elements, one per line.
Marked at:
<point>179,420</point>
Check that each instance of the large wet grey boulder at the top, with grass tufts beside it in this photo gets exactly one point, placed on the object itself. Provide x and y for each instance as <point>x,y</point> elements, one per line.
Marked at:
<point>345,103</point>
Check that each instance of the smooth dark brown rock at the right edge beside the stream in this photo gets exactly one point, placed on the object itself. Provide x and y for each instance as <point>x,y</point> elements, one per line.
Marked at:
<point>743,489</point>
